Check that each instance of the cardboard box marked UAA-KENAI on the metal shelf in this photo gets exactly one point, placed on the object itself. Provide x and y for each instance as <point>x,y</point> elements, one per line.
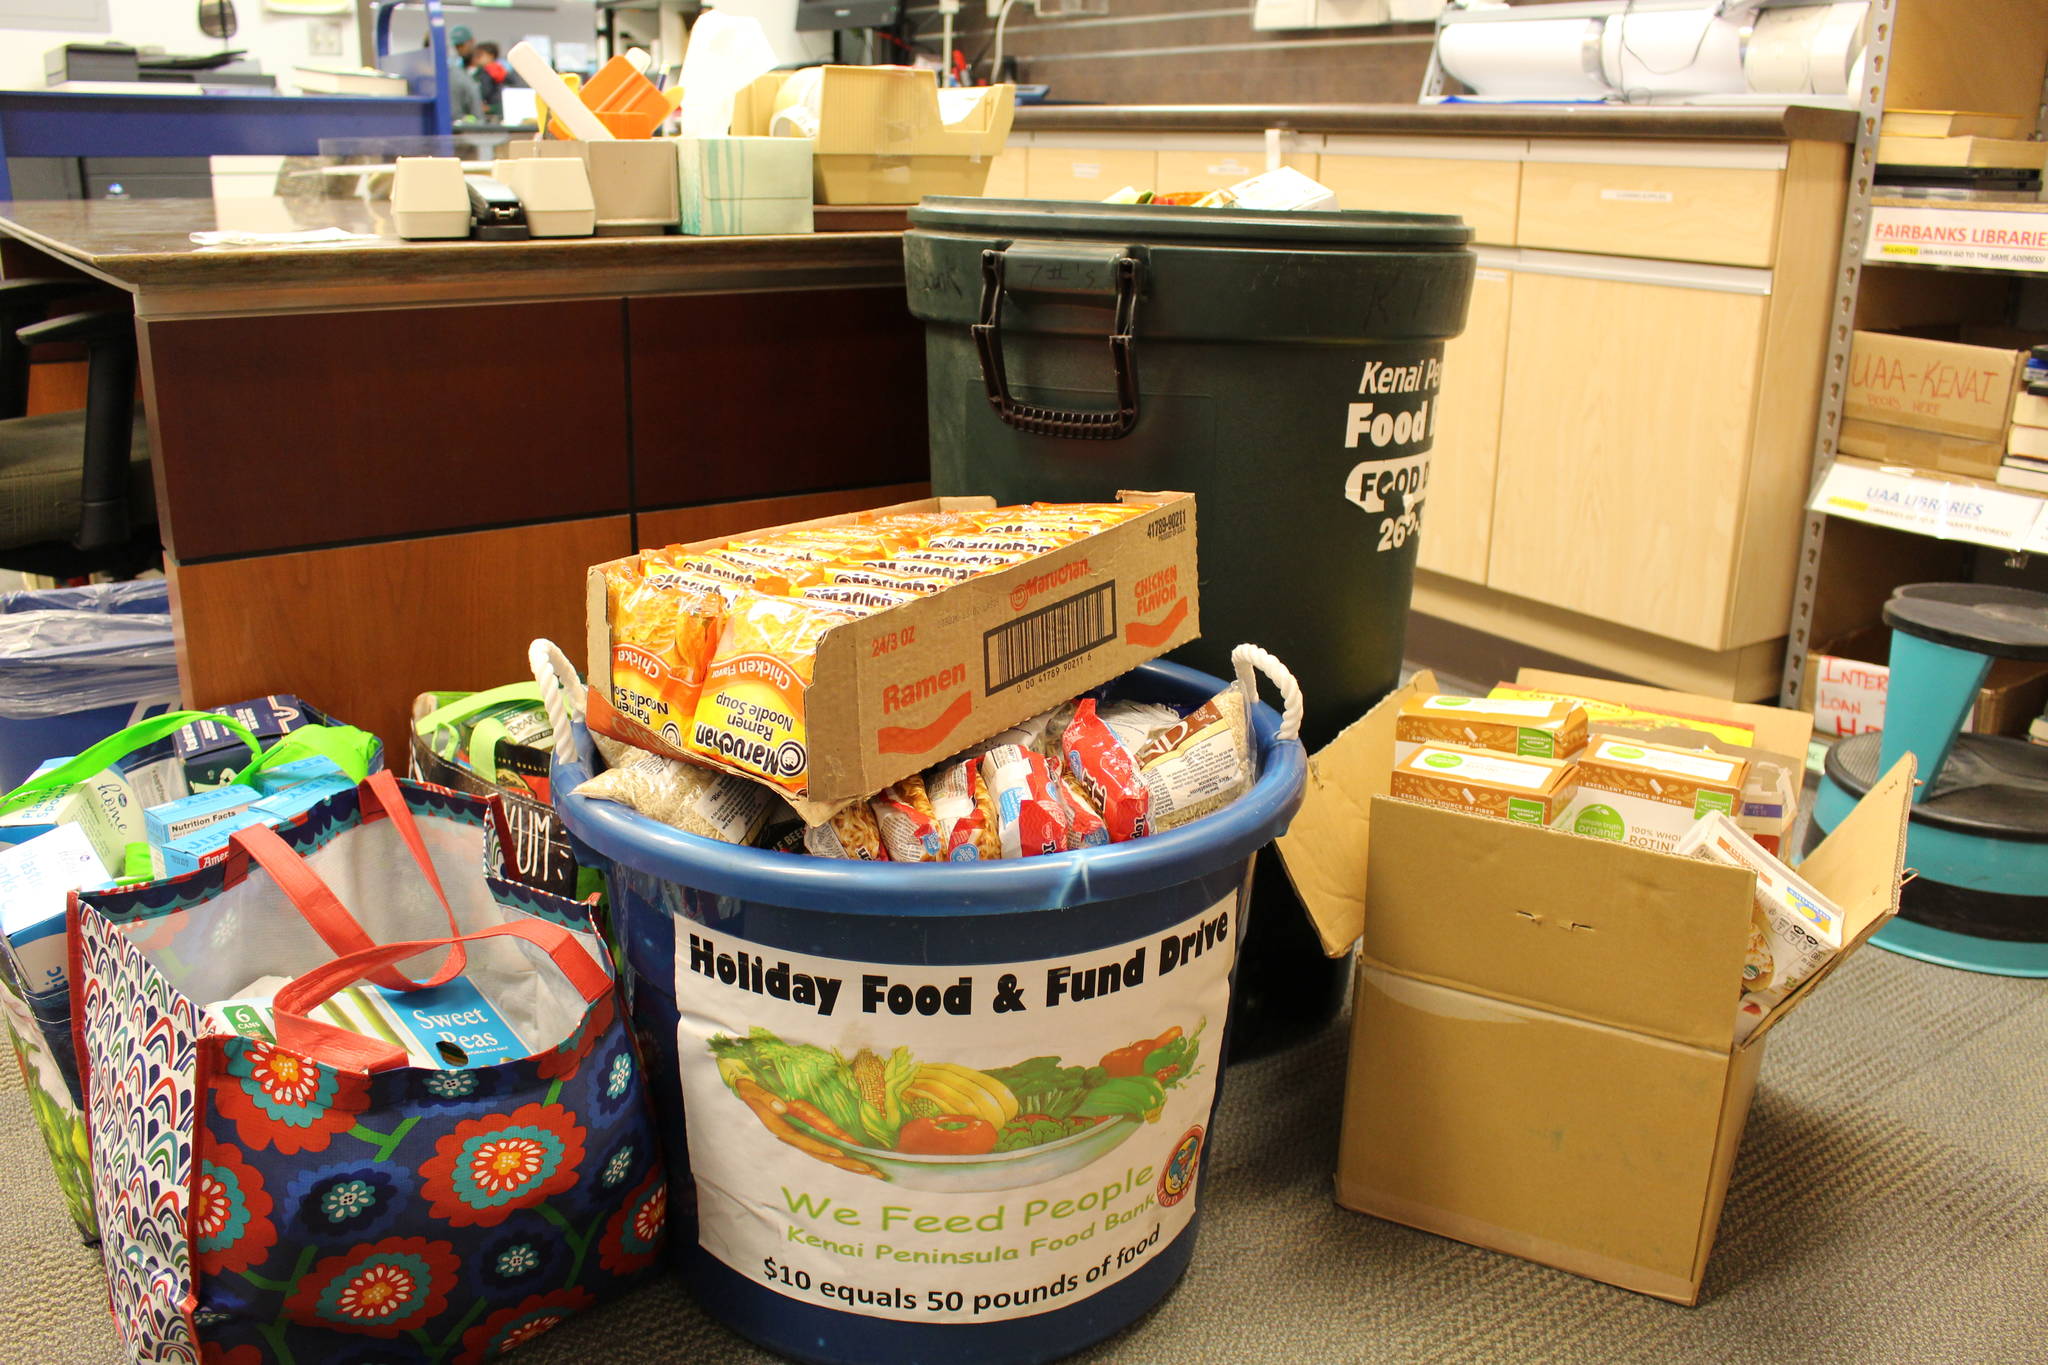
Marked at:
<point>1938,406</point>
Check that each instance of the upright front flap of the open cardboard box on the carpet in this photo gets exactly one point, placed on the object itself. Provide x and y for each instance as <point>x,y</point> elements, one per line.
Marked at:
<point>1584,928</point>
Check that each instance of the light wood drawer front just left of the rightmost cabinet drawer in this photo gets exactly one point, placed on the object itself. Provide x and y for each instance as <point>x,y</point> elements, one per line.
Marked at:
<point>1480,179</point>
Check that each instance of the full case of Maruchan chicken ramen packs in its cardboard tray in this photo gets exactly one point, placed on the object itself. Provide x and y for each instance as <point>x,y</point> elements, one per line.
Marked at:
<point>835,658</point>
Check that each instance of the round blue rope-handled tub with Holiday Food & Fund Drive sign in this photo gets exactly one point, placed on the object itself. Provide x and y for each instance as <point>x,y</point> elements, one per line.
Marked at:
<point>943,1112</point>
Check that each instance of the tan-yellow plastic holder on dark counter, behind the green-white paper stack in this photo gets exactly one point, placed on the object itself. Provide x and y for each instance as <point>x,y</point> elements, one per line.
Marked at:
<point>882,134</point>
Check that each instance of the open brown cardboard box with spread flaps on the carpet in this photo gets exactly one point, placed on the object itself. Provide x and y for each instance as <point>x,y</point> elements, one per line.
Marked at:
<point>1543,1037</point>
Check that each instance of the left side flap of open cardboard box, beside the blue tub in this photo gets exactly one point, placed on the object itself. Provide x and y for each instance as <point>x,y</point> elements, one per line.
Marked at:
<point>1324,850</point>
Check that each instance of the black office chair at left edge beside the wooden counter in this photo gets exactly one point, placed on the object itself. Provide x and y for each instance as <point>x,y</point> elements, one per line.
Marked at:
<point>75,488</point>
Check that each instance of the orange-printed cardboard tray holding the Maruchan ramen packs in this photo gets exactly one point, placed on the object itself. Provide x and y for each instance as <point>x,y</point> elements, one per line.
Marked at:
<point>904,689</point>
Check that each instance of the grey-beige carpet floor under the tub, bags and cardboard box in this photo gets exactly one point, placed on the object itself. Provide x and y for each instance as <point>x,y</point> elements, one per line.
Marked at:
<point>1891,1204</point>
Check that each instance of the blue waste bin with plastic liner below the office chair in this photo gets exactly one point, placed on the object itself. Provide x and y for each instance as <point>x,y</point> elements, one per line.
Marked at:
<point>79,664</point>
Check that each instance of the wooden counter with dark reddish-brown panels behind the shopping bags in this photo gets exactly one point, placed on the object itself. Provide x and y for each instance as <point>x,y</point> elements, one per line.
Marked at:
<point>384,466</point>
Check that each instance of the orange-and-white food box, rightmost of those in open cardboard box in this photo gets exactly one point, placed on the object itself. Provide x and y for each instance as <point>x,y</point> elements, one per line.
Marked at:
<point>1652,795</point>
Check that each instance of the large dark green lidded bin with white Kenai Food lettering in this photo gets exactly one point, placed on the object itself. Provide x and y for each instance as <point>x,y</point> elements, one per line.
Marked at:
<point>1283,367</point>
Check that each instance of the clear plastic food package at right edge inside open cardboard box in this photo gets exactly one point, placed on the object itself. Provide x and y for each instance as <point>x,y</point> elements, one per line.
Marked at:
<point>1795,930</point>
